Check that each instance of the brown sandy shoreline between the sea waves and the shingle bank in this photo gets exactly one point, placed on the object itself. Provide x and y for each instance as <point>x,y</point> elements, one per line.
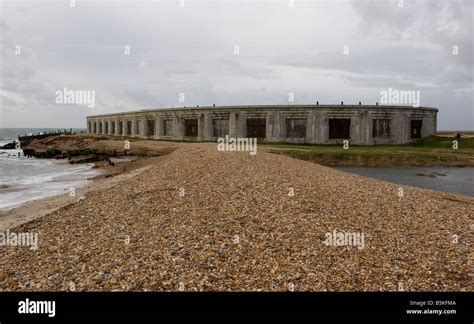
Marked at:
<point>123,167</point>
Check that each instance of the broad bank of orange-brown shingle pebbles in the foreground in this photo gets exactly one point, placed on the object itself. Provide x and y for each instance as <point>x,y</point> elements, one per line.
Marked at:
<point>205,220</point>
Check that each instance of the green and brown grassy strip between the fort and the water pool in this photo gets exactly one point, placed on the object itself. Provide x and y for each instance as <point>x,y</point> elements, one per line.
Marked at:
<point>432,151</point>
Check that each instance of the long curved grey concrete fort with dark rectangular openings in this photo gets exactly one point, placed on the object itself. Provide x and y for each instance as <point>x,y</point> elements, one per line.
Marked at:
<point>313,124</point>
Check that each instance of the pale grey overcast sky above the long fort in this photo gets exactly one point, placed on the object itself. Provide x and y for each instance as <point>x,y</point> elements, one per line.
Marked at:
<point>283,47</point>
